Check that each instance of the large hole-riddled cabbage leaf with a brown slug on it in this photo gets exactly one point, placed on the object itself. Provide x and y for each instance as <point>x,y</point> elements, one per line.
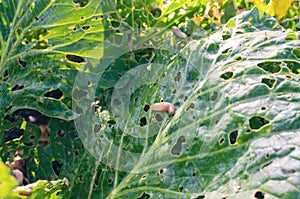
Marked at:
<point>235,130</point>
